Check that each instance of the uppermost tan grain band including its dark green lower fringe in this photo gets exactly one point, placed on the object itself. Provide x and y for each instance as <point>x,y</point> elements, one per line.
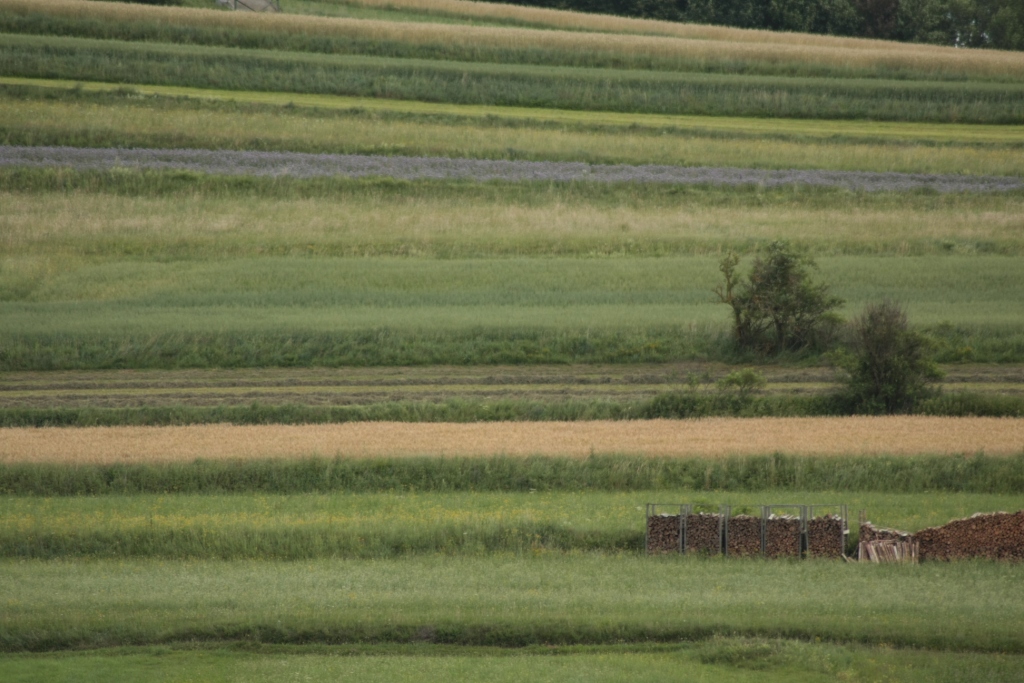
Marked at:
<point>507,45</point>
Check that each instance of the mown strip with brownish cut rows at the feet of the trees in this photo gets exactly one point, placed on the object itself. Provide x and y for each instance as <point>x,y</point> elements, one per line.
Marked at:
<point>356,387</point>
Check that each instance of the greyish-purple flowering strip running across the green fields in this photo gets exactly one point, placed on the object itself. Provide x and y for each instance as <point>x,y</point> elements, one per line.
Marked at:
<point>412,168</point>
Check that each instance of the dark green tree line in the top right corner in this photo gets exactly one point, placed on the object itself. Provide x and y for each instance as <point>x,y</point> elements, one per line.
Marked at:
<point>996,24</point>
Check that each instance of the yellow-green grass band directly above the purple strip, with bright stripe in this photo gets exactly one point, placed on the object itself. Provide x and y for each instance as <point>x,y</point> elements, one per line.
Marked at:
<point>327,124</point>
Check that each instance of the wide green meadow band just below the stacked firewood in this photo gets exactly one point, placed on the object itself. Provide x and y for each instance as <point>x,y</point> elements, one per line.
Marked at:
<point>507,601</point>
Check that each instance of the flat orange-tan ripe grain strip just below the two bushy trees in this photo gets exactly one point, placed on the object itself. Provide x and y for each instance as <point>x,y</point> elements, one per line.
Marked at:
<point>710,438</point>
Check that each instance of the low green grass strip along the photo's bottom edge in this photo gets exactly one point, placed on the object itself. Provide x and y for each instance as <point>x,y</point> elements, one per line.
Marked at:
<point>727,660</point>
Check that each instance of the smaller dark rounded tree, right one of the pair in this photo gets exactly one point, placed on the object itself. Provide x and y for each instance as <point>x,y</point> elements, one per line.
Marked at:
<point>891,368</point>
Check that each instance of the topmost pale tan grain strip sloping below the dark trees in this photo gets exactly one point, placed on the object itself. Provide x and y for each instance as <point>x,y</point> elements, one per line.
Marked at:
<point>757,50</point>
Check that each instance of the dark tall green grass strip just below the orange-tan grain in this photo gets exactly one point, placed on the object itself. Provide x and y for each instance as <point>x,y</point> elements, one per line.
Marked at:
<point>903,475</point>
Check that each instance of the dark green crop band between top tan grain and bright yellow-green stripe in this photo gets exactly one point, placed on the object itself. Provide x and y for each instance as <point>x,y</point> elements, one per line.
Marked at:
<point>477,83</point>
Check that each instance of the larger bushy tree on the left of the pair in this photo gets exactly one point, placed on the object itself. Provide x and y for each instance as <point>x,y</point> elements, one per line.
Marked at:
<point>779,308</point>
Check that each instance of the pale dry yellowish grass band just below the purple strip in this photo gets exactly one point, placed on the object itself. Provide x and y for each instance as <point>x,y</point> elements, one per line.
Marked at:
<point>70,224</point>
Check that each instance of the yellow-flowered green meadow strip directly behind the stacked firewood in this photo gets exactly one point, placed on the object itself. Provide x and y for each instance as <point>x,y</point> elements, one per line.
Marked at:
<point>380,526</point>
